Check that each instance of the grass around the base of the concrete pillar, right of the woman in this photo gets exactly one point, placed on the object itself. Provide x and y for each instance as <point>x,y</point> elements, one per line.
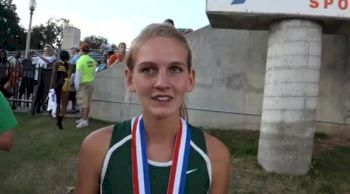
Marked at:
<point>329,172</point>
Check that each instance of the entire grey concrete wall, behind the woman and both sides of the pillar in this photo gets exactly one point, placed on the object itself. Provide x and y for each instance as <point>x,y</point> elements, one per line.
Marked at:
<point>230,67</point>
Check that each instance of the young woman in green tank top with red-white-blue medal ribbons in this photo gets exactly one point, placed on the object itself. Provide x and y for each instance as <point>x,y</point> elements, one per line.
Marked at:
<point>157,152</point>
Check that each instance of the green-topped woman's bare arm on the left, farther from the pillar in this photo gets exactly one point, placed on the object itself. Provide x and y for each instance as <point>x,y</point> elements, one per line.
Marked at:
<point>92,153</point>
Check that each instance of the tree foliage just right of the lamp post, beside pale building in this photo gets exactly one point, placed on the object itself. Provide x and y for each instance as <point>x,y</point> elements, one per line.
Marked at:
<point>49,33</point>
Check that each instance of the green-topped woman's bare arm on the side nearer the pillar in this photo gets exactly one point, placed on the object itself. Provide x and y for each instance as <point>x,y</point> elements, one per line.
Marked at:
<point>221,165</point>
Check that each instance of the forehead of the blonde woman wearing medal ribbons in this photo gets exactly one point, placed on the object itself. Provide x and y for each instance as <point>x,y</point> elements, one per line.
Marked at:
<point>160,50</point>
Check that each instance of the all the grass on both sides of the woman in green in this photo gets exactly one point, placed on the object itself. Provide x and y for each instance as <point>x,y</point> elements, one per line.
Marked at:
<point>44,161</point>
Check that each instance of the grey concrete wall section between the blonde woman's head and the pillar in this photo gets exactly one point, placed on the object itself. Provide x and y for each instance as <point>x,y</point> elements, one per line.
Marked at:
<point>230,67</point>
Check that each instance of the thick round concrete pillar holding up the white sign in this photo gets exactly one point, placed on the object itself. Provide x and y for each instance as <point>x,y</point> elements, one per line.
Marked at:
<point>290,96</point>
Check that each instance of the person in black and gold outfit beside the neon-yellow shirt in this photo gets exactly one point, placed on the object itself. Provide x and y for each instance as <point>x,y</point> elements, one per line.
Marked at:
<point>60,81</point>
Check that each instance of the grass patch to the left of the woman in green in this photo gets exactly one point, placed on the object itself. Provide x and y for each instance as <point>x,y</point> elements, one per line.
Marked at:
<point>44,158</point>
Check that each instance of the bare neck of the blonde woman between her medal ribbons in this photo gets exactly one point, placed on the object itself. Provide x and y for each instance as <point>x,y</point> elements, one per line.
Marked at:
<point>161,130</point>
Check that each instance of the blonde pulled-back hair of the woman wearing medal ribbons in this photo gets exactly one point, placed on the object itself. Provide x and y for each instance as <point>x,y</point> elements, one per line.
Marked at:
<point>154,31</point>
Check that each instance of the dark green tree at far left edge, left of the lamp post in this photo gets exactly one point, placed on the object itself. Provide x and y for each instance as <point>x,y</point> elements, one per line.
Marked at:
<point>12,35</point>
